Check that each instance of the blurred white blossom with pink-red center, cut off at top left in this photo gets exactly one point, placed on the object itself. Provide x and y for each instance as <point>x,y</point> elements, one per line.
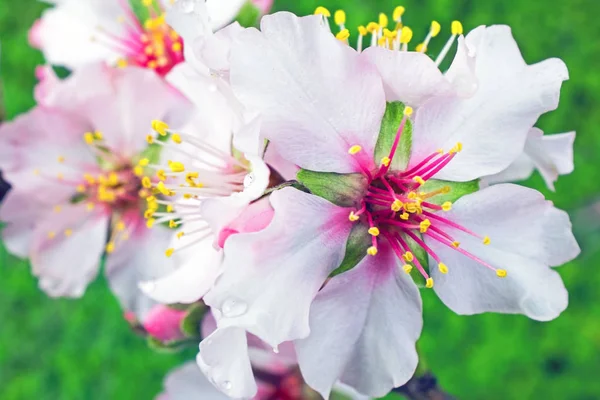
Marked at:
<point>76,32</point>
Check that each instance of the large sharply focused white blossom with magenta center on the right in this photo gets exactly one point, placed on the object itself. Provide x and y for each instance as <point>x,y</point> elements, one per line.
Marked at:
<point>391,151</point>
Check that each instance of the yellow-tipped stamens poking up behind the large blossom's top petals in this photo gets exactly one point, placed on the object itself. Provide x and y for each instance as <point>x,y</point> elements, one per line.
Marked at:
<point>393,36</point>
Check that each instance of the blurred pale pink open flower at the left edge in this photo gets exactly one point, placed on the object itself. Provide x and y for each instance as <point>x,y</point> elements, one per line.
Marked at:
<point>75,168</point>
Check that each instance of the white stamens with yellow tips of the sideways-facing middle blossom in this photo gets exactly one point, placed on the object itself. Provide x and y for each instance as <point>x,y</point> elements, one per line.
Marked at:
<point>179,187</point>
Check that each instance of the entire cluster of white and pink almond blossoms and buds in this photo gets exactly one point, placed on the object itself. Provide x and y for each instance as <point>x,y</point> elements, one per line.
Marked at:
<point>281,197</point>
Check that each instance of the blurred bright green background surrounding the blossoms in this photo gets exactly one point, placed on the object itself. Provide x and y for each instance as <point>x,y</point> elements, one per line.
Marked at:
<point>62,349</point>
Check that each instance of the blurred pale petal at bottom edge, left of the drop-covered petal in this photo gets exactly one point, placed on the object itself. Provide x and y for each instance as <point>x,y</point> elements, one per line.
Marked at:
<point>187,383</point>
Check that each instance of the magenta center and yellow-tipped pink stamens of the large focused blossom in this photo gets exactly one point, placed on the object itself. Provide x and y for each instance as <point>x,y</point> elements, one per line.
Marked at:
<point>399,209</point>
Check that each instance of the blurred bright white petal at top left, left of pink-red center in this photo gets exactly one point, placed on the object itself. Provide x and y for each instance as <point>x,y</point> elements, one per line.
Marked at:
<point>66,33</point>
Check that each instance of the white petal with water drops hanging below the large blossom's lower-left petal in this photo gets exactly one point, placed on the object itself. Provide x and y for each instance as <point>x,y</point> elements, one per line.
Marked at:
<point>223,358</point>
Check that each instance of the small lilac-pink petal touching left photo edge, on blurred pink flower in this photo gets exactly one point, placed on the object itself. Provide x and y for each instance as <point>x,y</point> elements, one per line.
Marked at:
<point>21,213</point>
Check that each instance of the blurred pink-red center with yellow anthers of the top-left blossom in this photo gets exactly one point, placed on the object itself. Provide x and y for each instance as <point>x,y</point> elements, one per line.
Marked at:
<point>150,44</point>
